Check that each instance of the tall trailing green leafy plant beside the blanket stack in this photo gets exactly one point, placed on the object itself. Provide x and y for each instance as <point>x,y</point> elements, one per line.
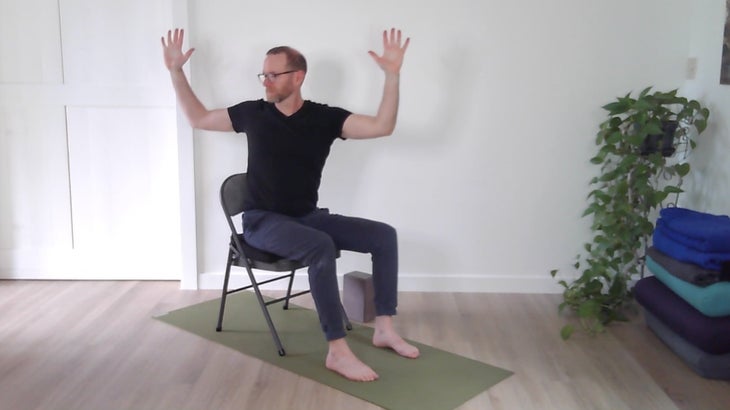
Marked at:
<point>634,179</point>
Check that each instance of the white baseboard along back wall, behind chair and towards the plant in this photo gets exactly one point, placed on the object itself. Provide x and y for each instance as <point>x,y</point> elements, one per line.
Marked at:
<point>412,282</point>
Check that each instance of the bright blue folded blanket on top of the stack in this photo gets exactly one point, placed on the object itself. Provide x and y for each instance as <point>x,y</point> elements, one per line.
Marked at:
<point>700,231</point>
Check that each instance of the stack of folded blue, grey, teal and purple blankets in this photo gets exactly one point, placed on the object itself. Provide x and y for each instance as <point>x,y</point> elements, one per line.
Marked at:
<point>687,301</point>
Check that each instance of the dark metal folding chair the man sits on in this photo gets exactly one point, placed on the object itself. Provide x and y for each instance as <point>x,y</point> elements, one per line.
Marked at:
<point>233,195</point>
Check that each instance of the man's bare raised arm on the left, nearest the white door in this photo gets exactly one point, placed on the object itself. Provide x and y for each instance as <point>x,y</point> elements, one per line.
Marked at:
<point>198,116</point>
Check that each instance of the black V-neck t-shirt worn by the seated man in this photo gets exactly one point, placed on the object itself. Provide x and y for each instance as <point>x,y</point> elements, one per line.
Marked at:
<point>286,155</point>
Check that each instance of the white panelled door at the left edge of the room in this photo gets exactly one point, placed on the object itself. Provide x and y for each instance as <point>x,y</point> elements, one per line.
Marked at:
<point>89,175</point>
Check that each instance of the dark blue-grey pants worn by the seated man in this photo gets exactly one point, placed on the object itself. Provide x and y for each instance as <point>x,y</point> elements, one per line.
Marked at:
<point>314,239</point>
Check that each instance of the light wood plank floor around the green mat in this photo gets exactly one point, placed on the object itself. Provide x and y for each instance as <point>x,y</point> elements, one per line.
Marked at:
<point>94,345</point>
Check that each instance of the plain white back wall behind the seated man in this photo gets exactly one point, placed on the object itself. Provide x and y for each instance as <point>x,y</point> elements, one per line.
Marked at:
<point>486,175</point>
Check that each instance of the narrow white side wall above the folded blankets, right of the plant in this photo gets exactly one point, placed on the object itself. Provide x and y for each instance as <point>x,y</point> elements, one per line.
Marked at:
<point>707,188</point>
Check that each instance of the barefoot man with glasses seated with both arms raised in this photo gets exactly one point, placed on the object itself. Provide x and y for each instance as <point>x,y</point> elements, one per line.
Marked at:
<point>289,139</point>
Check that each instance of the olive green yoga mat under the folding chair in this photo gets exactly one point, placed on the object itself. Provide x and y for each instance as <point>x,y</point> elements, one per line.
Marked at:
<point>443,380</point>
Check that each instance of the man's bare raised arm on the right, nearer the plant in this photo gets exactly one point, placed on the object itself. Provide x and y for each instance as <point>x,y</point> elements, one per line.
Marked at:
<point>360,126</point>
